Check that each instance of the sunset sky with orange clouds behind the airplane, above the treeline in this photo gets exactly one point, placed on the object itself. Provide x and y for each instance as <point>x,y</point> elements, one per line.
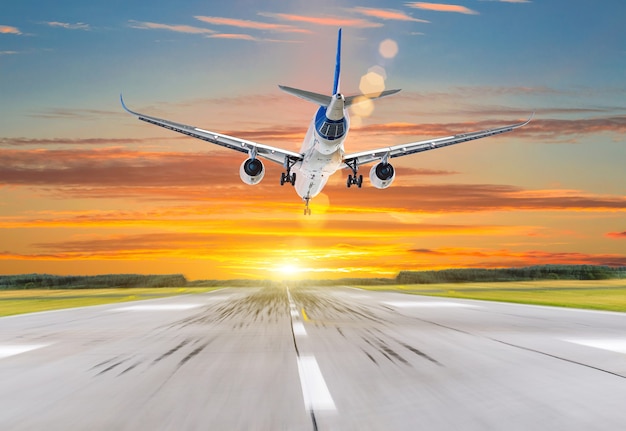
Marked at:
<point>86,188</point>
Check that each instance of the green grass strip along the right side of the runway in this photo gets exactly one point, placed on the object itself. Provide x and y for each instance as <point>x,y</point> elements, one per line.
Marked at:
<point>607,295</point>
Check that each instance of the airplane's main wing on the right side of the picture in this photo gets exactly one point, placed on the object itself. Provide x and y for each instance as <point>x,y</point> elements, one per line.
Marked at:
<point>364,157</point>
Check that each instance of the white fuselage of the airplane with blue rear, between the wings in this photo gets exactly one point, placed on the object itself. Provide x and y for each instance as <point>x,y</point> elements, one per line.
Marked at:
<point>322,149</point>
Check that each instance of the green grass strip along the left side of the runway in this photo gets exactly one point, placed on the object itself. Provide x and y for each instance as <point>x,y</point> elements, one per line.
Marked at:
<point>29,301</point>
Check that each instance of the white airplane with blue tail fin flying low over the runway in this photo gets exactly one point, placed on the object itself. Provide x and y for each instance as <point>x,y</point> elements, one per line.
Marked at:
<point>322,152</point>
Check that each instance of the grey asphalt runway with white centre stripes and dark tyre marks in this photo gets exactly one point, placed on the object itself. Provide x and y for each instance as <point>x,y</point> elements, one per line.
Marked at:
<point>307,359</point>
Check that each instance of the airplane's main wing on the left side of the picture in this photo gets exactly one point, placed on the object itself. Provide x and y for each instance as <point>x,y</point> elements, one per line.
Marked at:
<point>268,152</point>
